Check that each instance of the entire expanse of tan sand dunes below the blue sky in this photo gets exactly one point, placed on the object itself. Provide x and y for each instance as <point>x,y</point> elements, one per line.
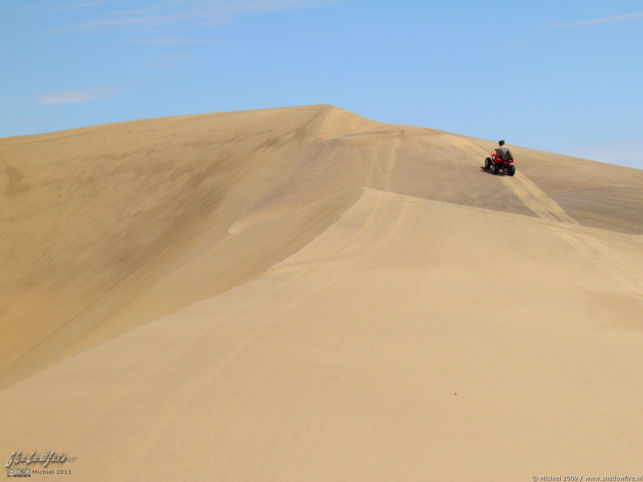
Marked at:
<point>303,294</point>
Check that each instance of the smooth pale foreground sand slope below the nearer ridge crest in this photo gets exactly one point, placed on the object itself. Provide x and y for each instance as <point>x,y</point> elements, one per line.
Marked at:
<point>411,340</point>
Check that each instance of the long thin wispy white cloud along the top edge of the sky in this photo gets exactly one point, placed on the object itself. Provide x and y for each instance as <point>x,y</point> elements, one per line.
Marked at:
<point>157,16</point>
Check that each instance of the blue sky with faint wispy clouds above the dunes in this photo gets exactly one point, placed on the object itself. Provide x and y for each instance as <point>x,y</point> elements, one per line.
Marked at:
<point>561,76</point>
